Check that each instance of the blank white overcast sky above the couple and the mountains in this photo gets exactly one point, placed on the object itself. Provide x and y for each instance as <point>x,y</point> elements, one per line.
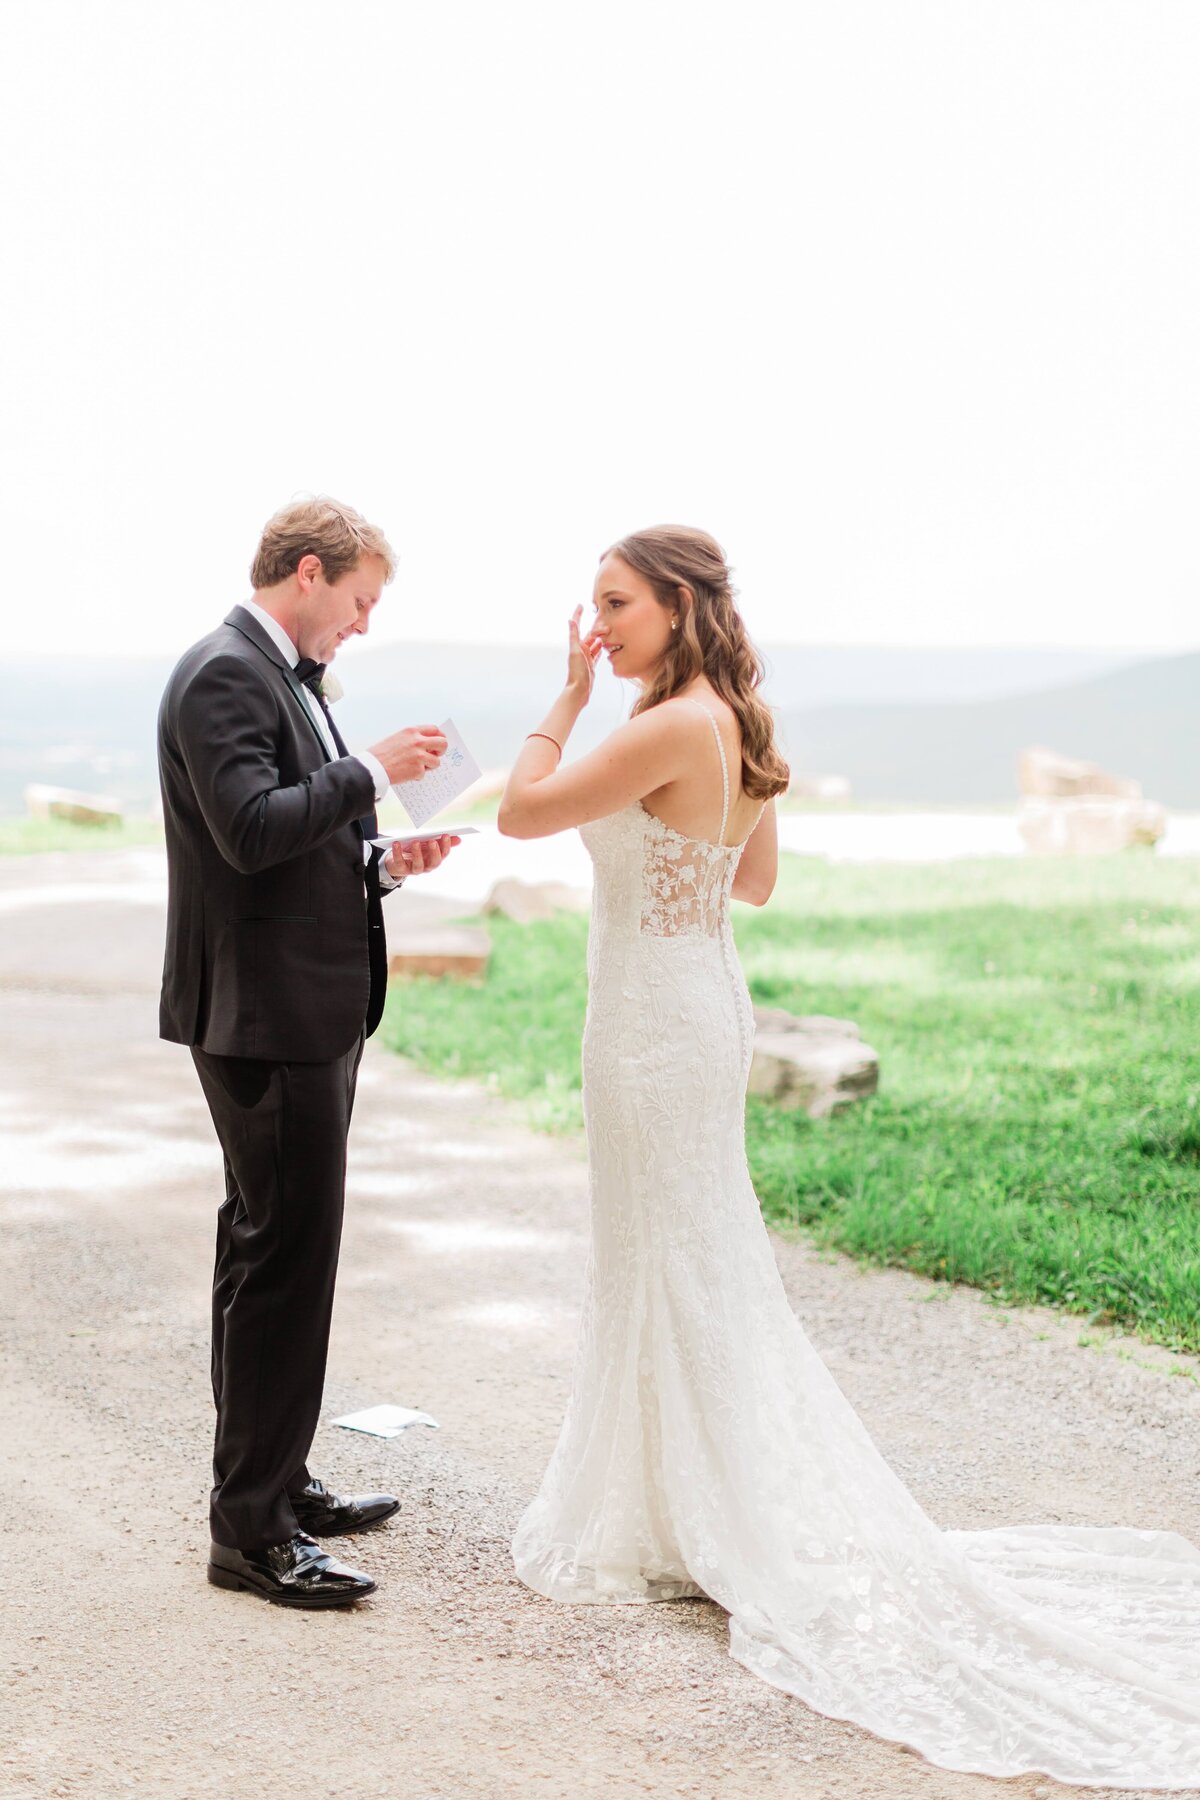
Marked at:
<point>899,300</point>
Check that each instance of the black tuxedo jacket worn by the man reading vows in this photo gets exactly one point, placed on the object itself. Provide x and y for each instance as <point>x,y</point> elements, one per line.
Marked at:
<point>274,922</point>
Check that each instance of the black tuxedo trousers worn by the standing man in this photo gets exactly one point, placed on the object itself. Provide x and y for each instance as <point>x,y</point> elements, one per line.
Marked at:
<point>283,1129</point>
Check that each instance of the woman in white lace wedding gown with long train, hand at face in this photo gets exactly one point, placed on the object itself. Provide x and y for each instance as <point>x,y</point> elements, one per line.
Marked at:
<point>706,1448</point>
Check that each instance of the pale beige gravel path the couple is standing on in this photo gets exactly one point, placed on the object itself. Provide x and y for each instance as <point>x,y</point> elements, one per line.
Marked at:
<point>125,1673</point>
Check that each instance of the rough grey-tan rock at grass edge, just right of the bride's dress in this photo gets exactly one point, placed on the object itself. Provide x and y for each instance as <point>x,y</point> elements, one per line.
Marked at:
<point>810,1063</point>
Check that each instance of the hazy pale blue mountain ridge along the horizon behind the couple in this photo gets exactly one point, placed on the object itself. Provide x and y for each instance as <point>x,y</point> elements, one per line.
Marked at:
<point>845,712</point>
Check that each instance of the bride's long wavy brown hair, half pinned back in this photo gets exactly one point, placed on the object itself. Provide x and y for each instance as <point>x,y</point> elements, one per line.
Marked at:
<point>688,571</point>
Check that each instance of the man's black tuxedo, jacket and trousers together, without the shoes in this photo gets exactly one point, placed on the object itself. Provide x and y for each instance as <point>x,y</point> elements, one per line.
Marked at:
<point>274,976</point>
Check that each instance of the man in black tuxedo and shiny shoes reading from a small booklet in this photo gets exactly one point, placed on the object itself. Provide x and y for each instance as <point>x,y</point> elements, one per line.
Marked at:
<point>274,976</point>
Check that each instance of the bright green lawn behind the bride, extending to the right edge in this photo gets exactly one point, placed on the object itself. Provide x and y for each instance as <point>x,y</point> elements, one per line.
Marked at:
<point>1037,1133</point>
